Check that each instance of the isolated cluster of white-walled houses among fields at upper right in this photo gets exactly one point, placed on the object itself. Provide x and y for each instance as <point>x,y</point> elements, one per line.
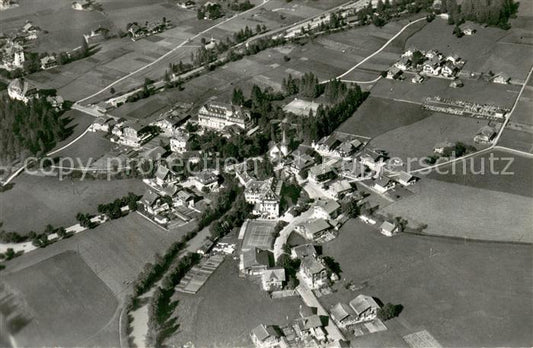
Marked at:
<point>428,63</point>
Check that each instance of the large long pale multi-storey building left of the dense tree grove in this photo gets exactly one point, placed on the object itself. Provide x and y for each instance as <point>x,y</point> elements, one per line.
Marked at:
<point>218,116</point>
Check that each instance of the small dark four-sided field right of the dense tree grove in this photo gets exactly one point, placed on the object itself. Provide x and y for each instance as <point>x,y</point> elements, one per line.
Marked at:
<point>379,115</point>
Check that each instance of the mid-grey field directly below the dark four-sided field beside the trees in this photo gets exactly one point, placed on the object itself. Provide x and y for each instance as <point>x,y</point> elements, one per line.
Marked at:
<point>418,139</point>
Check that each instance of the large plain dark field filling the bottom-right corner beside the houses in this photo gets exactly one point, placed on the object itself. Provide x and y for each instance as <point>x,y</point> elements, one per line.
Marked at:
<point>465,294</point>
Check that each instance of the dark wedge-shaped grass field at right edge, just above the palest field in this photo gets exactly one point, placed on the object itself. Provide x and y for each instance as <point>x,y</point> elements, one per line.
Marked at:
<point>518,183</point>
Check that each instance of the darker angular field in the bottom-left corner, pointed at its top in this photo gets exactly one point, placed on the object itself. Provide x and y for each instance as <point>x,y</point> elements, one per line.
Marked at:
<point>69,303</point>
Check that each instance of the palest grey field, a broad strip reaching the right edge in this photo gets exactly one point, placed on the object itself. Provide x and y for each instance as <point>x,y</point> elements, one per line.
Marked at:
<point>466,212</point>
